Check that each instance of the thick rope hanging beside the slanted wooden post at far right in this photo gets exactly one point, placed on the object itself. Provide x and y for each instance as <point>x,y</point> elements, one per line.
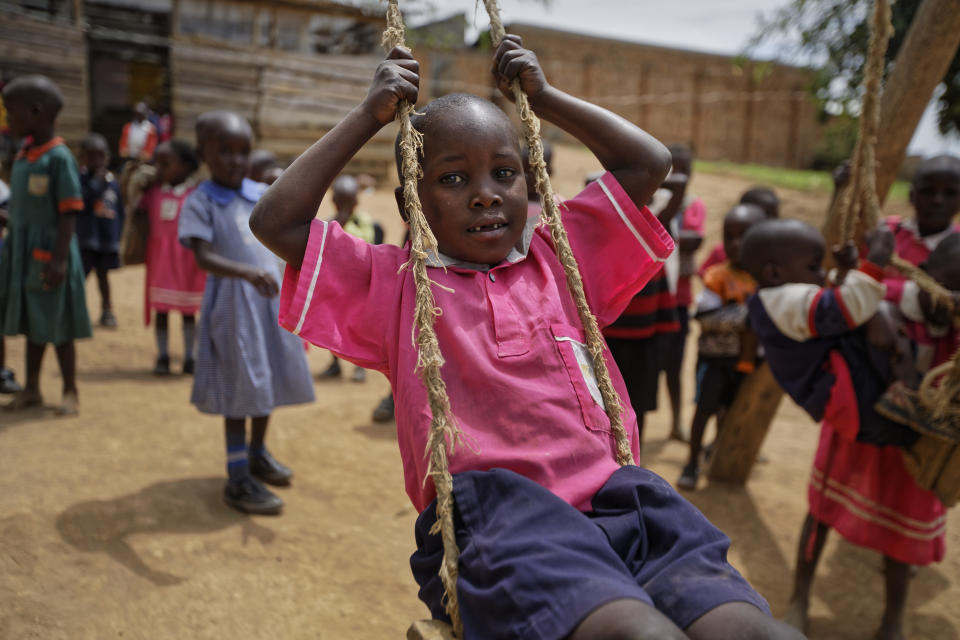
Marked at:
<point>859,202</point>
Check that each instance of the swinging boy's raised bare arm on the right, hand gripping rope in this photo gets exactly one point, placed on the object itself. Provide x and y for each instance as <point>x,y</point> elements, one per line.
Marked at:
<point>638,160</point>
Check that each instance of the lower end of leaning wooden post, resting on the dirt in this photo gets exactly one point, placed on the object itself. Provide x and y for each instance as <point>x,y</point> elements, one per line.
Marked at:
<point>746,426</point>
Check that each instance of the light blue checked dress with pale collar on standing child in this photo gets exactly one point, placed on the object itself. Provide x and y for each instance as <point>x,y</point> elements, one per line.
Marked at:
<point>246,365</point>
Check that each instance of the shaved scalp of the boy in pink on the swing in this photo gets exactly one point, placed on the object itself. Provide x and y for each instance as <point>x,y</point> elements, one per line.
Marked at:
<point>462,111</point>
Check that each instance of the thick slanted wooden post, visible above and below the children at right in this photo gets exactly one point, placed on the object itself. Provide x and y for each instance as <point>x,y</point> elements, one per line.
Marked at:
<point>921,64</point>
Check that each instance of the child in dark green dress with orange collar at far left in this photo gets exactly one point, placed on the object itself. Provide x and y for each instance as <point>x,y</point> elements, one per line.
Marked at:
<point>41,275</point>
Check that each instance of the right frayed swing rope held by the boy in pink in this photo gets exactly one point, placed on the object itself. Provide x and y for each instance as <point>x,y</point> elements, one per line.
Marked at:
<point>550,213</point>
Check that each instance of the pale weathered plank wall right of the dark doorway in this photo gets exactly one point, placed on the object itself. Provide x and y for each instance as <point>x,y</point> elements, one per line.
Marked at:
<point>290,100</point>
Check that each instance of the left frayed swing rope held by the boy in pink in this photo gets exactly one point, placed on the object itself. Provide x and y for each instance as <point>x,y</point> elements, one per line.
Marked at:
<point>443,431</point>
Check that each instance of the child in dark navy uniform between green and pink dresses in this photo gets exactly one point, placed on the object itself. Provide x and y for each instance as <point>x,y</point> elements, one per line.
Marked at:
<point>100,223</point>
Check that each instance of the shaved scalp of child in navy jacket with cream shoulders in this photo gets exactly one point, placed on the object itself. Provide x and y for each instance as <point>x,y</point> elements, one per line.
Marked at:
<point>776,242</point>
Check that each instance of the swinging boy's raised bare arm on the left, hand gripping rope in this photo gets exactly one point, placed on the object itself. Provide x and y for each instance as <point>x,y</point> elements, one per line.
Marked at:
<point>281,219</point>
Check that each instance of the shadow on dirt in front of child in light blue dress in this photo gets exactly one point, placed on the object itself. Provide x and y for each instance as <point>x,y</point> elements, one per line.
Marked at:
<point>190,505</point>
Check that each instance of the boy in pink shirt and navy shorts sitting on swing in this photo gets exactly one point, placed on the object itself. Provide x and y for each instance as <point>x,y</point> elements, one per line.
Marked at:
<point>557,541</point>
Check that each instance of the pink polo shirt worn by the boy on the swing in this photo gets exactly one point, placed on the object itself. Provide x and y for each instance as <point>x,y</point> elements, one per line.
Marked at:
<point>521,386</point>
